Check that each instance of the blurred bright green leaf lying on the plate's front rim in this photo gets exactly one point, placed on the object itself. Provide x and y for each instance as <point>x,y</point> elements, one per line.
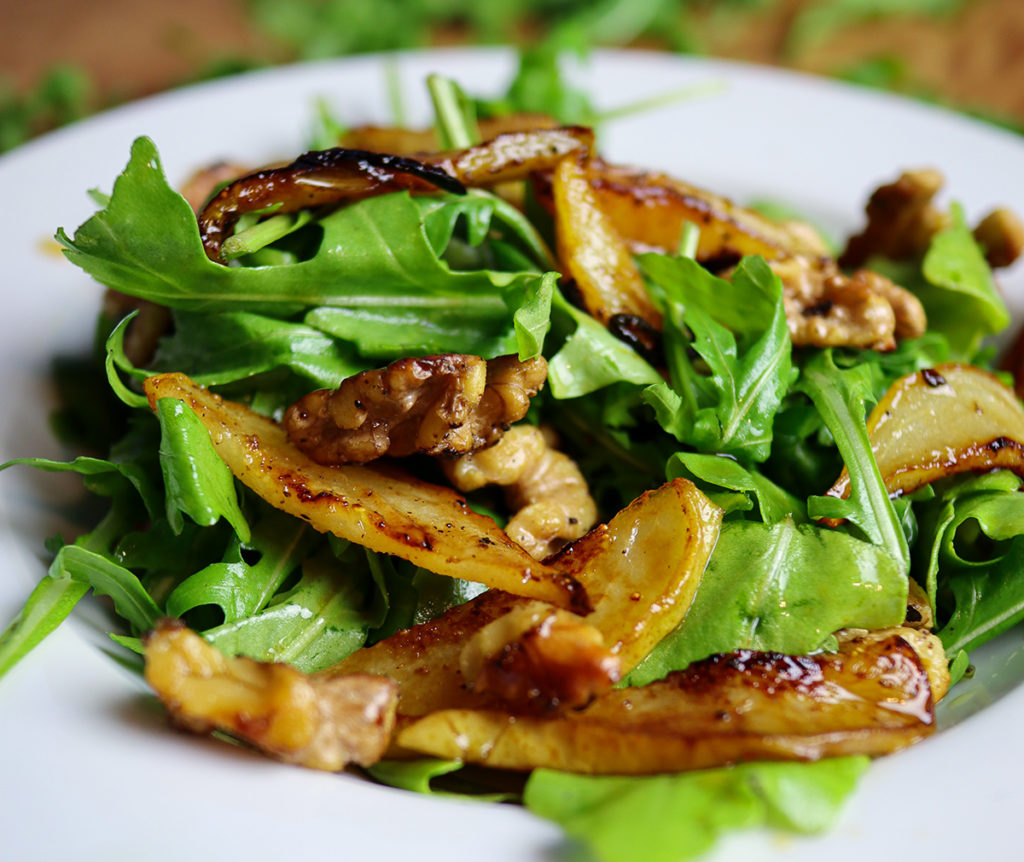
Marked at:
<point>670,818</point>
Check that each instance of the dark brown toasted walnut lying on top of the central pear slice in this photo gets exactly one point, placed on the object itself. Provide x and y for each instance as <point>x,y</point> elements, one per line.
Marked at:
<point>446,405</point>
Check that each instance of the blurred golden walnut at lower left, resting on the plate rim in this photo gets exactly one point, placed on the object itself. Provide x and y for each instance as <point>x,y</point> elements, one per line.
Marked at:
<point>318,721</point>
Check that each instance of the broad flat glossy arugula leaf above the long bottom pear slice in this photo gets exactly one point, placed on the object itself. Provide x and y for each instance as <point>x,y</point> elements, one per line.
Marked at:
<point>785,588</point>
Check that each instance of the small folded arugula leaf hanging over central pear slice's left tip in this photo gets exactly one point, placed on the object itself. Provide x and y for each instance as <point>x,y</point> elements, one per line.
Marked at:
<point>198,483</point>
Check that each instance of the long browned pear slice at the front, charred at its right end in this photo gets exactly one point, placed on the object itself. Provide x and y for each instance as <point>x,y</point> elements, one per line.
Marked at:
<point>872,698</point>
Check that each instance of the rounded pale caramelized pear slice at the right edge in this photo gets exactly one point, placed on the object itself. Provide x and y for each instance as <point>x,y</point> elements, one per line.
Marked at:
<point>938,422</point>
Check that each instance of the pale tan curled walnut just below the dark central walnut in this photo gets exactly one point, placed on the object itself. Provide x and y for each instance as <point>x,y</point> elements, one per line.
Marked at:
<point>544,487</point>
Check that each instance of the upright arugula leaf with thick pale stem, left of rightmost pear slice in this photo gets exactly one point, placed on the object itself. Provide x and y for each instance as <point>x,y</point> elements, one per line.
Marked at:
<point>839,398</point>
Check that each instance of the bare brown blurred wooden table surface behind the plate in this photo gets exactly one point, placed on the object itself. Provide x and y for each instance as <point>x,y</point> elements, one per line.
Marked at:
<point>974,58</point>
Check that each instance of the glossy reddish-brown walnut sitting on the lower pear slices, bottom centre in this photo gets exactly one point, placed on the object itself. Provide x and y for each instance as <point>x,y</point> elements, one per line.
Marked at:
<point>537,659</point>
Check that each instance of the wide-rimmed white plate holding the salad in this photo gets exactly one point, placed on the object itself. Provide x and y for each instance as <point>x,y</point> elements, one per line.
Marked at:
<point>89,769</point>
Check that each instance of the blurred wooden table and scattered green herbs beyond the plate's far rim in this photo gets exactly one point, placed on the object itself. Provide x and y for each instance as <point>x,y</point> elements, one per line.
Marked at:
<point>64,60</point>
